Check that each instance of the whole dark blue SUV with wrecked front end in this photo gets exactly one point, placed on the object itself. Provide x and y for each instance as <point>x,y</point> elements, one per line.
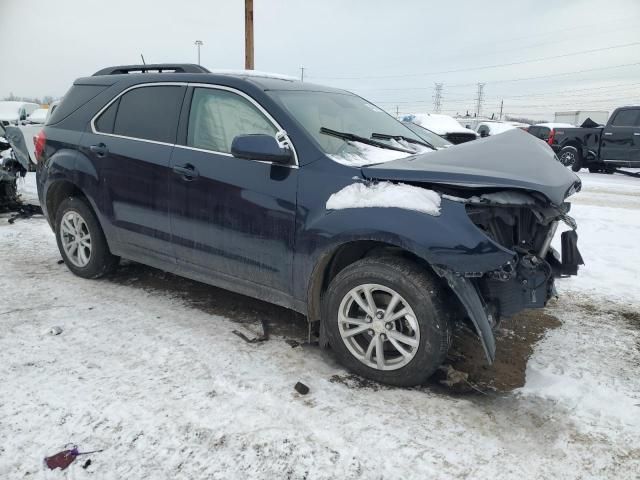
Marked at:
<point>307,197</point>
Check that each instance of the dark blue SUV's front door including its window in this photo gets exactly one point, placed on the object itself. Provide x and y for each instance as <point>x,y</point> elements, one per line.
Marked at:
<point>231,218</point>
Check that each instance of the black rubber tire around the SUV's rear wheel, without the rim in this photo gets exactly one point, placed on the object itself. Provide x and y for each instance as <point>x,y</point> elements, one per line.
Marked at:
<point>101,261</point>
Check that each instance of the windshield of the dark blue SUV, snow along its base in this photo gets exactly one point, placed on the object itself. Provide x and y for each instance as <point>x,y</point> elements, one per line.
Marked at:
<point>348,113</point>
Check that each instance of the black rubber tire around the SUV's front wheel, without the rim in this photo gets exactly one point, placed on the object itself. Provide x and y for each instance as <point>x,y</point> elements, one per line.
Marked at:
<point>425,297</point>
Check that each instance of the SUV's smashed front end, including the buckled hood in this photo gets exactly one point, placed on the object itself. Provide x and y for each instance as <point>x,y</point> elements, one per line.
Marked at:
<point>514,192</point>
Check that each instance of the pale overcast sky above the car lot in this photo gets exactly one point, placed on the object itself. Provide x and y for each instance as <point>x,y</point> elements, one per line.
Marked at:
<point>391,52</point>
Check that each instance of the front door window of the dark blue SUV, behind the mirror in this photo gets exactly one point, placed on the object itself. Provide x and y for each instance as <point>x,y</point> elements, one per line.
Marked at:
<point>218,116</point>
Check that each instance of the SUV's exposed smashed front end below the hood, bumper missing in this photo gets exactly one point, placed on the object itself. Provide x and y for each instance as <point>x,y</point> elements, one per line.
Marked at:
<point>525,224</point>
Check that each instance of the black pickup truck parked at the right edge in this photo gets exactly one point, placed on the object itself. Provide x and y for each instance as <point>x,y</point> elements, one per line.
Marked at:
<point>601,149</point>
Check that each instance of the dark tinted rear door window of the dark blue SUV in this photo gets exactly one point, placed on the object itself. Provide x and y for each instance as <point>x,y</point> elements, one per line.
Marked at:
<point>147,113</point>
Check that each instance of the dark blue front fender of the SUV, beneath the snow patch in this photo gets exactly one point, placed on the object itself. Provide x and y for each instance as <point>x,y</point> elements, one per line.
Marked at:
<point>450,243</point>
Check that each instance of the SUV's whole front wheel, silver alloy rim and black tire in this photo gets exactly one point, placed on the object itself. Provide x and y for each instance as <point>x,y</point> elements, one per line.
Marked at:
<point>385,319</point>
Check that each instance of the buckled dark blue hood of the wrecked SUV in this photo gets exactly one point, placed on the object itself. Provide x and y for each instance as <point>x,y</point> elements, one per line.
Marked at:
<point>511,160</point>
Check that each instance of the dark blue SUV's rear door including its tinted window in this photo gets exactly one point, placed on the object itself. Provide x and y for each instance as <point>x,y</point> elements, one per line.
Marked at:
<point>130,144</point>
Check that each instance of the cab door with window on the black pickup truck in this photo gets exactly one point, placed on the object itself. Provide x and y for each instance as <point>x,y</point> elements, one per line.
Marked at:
<point>621,137</point>
